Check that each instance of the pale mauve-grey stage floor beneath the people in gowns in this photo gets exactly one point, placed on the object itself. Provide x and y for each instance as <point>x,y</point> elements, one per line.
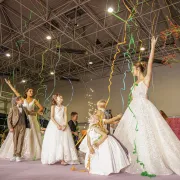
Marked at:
<point>34,170</point>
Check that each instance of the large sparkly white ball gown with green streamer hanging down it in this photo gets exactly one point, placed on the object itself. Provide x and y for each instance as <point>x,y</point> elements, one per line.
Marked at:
<point>143,130</point>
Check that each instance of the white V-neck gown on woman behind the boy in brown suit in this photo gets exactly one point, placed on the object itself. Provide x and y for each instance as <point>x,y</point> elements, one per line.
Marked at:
<point>32,140</point>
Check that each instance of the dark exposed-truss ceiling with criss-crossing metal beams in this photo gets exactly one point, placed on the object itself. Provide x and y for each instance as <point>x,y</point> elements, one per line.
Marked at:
<point>84,35</point>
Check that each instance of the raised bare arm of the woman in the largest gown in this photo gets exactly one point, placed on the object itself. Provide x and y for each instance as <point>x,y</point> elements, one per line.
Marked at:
<point>150,61</point>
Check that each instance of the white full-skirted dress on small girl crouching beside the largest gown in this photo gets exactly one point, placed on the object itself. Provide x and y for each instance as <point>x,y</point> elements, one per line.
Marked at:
<point>108,158</point>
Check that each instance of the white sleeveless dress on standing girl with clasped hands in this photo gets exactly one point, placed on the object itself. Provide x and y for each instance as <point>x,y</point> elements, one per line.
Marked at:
<point>57,144</point>
